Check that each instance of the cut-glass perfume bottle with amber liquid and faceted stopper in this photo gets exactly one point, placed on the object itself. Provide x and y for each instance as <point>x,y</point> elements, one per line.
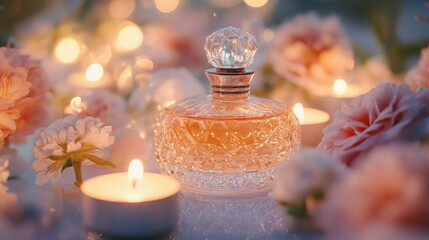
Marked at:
<point>226,141</point>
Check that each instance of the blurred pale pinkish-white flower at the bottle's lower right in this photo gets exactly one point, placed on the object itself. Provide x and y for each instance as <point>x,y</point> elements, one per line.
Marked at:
<point>305,178</point>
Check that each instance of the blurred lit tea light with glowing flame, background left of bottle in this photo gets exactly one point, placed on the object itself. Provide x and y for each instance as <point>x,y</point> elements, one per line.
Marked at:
<point>93,77</point>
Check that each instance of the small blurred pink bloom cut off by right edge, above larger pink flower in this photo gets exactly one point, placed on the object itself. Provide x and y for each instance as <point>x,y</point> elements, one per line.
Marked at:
<point>418,76</point>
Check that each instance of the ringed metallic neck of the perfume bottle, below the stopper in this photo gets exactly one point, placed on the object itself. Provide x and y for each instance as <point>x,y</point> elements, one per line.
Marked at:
<point>229,84</point>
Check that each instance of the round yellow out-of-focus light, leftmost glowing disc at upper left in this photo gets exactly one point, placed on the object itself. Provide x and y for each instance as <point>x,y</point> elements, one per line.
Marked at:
<point>67,50</point>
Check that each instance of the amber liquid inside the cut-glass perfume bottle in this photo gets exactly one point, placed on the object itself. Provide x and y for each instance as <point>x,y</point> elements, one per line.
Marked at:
<point>232,145</point>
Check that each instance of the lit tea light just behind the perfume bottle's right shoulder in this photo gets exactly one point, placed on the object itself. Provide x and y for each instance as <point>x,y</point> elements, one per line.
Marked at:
<point>312,123</point>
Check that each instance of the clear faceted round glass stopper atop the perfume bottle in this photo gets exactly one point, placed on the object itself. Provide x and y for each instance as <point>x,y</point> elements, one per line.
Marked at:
<point>230,48</point>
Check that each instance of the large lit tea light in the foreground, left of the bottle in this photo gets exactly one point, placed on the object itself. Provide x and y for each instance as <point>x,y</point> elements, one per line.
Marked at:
<point>131,205</point>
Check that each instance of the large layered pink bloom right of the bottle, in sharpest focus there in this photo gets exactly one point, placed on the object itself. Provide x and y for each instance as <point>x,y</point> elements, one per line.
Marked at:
<point>387,113</point>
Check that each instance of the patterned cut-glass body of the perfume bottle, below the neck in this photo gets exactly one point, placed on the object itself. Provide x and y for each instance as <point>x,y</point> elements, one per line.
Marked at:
<point>225,152</point>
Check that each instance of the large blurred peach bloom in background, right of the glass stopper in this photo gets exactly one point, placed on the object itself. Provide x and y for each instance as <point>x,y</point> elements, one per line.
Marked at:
<point>310,51</point>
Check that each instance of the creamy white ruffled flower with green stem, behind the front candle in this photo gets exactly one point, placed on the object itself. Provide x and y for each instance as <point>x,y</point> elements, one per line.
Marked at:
<point>69,141</point>
